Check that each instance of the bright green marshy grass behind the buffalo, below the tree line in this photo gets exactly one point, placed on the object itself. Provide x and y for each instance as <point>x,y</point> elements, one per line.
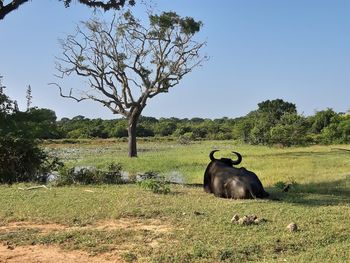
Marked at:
<point>303,164</point>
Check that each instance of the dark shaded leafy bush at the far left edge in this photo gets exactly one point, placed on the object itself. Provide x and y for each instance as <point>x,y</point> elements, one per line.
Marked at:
<point>21,159</point>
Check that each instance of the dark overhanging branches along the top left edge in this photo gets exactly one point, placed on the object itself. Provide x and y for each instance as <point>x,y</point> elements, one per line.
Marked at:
<point>7,7</point>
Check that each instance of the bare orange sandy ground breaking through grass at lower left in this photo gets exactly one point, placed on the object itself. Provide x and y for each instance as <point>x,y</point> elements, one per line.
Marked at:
<point>48,254</point>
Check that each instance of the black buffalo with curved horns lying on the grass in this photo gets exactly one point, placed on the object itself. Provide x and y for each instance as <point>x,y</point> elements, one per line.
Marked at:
<point>226,181</point>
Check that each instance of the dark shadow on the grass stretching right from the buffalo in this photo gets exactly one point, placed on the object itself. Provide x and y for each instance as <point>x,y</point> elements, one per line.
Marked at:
<point>315,194</point>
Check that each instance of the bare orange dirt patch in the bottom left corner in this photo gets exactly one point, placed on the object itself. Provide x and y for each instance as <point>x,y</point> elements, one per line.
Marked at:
<point>48,254</point>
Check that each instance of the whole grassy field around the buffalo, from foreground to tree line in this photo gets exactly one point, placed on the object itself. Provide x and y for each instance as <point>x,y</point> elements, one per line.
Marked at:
<point>130,224</point>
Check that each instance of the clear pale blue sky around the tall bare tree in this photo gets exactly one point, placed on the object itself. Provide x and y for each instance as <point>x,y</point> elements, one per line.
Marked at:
<point>296,50</point>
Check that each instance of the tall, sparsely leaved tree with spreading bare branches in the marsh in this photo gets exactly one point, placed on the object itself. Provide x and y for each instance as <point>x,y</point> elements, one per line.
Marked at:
<point>126,63</point>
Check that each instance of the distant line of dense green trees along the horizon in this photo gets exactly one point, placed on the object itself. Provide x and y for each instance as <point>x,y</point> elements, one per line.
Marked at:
<point>274,122</point>
